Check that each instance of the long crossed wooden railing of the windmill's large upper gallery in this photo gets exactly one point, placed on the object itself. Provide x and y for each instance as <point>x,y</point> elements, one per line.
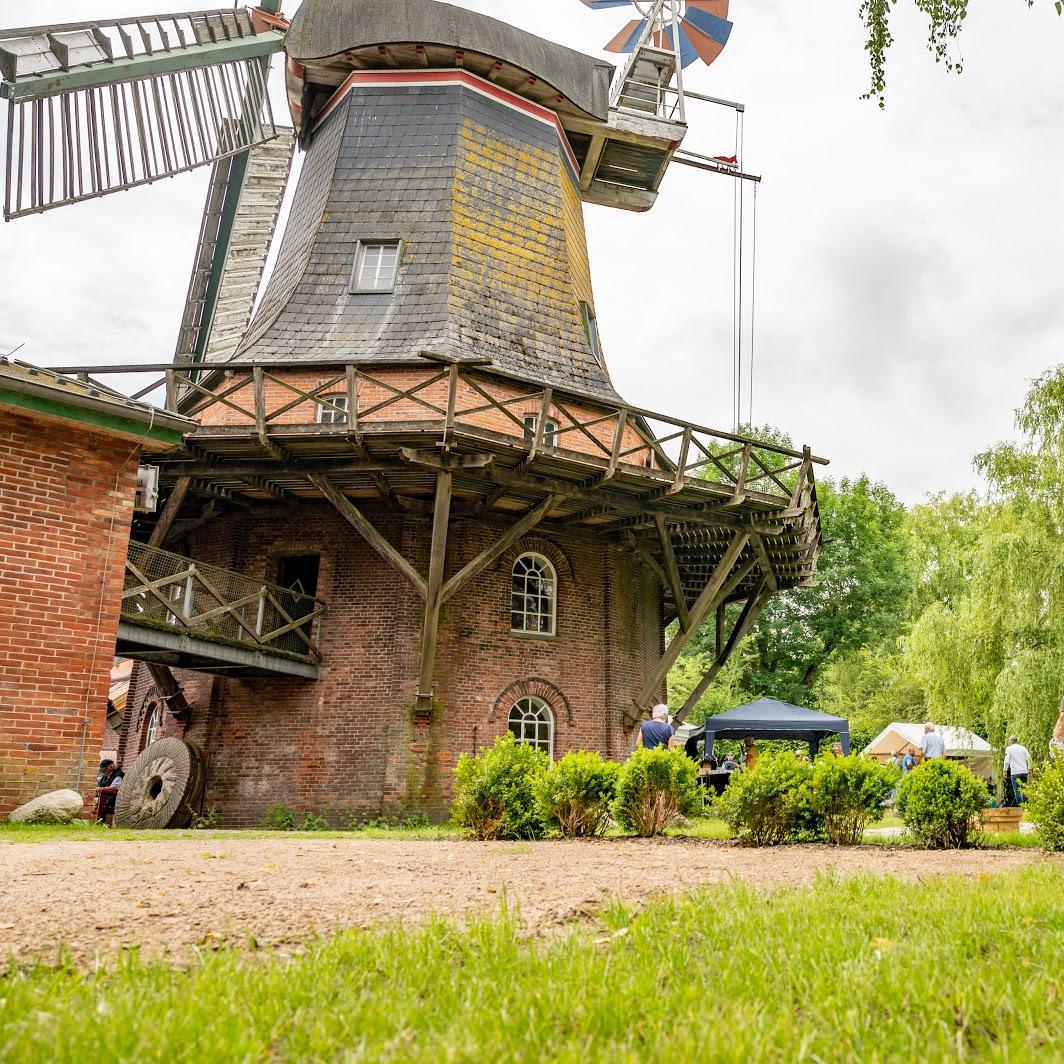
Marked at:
<point>455,397</point>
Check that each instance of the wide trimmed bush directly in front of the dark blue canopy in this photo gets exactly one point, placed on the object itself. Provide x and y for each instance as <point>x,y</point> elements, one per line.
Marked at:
<point>771,804</point>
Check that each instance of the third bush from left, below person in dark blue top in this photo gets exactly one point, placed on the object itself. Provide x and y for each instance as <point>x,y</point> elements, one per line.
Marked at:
<point>656,789</point>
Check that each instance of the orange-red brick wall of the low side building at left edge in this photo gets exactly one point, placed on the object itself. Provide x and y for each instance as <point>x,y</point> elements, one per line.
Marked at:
<point>66,498</point>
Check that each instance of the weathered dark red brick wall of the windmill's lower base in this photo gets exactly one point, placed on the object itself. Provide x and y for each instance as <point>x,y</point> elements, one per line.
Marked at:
<point>350,742</point>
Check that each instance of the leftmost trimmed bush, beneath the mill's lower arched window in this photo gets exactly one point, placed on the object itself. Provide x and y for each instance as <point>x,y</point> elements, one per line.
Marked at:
<point>495,792</point>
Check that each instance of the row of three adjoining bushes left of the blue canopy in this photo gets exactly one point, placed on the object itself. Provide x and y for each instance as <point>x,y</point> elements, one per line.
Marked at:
<point>512,791</point>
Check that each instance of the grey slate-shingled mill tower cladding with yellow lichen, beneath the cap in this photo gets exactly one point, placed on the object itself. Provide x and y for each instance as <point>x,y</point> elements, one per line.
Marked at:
<point>487,243</point>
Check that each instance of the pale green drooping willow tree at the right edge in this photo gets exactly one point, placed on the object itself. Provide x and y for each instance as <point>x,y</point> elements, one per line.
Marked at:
<point>993,659</point>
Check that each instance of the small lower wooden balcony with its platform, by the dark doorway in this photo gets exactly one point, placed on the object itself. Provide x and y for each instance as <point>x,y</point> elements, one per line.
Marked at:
<point>185,614</point>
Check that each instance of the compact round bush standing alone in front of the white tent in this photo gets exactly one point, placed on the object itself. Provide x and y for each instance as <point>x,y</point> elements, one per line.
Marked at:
<point>938,803</point>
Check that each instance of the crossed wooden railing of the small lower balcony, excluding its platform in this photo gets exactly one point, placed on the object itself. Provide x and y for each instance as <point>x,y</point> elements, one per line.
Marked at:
<point>170,592</point>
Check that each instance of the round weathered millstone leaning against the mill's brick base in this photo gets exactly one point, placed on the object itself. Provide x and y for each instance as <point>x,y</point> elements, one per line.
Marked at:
<point>161,789</point>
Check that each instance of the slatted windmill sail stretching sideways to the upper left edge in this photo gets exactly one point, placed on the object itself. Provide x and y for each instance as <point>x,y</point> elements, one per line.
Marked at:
<point>99,108</point>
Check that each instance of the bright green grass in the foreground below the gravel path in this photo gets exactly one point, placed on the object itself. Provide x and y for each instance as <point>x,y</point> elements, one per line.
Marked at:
<point>870,970</point>
